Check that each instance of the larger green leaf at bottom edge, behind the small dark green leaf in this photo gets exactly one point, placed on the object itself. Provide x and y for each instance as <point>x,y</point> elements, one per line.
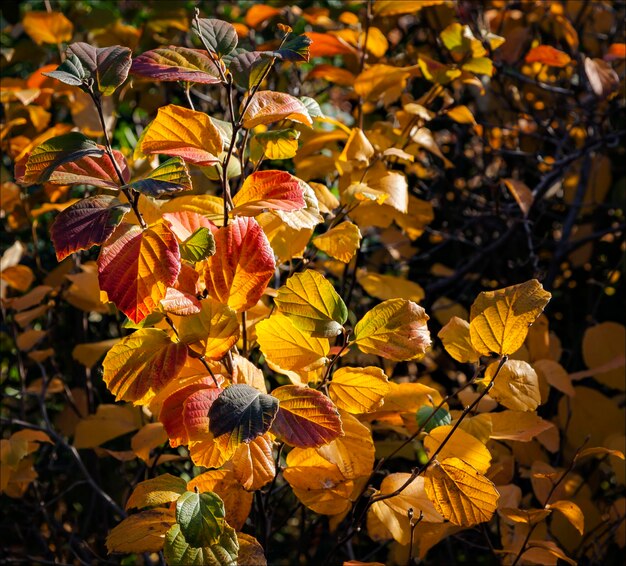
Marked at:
<point>178,551</point>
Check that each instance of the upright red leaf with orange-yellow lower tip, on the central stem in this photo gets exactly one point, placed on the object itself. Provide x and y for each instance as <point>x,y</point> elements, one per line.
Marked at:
<point>242,266</point>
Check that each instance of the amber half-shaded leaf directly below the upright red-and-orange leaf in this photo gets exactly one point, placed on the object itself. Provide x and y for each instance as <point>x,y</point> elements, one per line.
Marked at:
<point>211,332</point>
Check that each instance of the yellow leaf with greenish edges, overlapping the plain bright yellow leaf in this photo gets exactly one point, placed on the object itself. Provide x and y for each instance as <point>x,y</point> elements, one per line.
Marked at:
<point>311,303</point>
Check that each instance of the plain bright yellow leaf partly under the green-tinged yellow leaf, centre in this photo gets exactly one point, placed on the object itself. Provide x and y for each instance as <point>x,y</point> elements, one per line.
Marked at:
<point>290,348</point>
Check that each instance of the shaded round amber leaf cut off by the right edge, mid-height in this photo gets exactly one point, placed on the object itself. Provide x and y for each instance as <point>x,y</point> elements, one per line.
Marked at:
<point>602,344</point>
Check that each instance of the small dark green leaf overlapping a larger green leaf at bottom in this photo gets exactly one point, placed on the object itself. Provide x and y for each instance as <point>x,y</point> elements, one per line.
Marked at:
<point>201,517</point>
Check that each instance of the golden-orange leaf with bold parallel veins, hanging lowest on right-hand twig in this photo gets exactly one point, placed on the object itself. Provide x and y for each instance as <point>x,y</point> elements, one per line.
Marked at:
<point>460,493</point>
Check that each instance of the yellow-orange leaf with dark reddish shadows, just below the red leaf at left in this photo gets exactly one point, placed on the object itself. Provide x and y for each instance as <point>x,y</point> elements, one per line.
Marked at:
<point>141,364</point>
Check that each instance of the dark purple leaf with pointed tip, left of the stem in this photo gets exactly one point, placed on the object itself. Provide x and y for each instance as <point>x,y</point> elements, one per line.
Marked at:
<point>87,223</point>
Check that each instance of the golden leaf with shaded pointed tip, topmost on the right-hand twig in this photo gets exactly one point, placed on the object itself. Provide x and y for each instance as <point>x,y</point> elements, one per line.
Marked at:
<point>499,320</point>
